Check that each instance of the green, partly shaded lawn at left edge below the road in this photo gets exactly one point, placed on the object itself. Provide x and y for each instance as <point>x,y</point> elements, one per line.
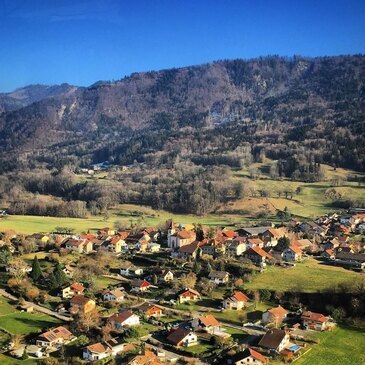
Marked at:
<point>22,323</point>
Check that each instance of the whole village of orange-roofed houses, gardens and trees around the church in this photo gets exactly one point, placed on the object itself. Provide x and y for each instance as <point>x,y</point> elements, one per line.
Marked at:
<point>172,294</point>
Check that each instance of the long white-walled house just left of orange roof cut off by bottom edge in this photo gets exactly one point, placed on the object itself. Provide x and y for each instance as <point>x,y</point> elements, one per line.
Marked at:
<point>101,350</point>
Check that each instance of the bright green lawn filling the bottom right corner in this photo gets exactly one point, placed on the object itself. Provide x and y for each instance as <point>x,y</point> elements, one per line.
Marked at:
<point>343,346</point>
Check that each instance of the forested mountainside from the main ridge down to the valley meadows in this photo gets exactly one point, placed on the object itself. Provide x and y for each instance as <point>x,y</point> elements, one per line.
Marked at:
<point>187,128</point>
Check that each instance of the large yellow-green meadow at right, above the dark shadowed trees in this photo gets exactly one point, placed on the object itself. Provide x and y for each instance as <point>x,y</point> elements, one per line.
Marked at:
<point>308,276</point>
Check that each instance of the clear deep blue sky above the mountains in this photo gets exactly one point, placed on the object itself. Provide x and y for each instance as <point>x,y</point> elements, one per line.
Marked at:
<point>83,41</point>
